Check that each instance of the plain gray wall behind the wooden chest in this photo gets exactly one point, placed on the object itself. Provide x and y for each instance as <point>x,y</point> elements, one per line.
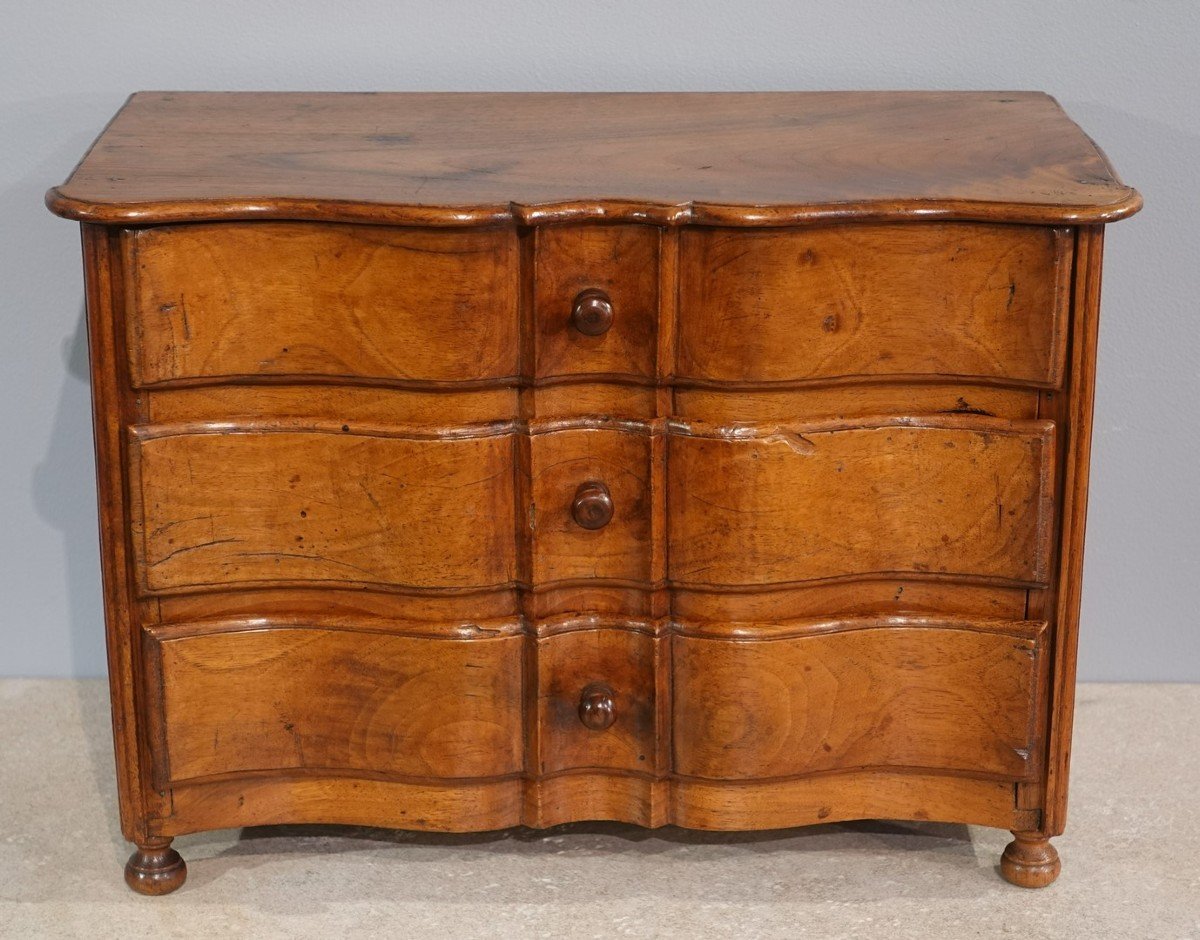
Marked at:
<point>1127,71</point>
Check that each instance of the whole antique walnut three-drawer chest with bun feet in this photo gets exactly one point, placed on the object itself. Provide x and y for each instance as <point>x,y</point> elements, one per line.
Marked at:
<point>469,462</point>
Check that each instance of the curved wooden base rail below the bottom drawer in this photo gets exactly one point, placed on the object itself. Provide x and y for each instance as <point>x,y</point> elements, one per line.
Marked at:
<point>704,805</point>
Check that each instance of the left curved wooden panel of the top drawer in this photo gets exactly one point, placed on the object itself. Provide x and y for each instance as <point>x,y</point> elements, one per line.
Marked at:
<point>213,302</point>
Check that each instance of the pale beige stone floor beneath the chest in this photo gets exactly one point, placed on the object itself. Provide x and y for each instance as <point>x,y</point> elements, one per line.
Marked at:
<point>1131,857</point>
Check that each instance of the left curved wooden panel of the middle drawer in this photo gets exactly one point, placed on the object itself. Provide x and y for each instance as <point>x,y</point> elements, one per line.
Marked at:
<point>328,504</point>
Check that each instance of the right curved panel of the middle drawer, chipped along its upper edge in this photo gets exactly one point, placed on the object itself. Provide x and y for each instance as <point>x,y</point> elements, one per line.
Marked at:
<point>943,496</point>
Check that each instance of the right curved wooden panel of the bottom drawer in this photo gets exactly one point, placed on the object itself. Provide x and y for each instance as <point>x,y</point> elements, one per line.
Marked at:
<point>949,697</point>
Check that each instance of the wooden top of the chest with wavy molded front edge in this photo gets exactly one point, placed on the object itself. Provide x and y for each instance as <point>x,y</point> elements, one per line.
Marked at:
<point>469,159</point>
